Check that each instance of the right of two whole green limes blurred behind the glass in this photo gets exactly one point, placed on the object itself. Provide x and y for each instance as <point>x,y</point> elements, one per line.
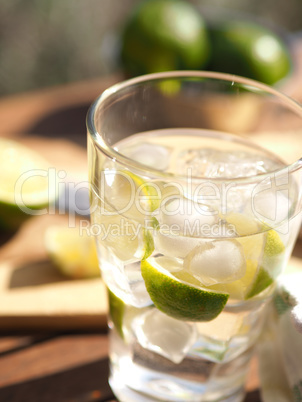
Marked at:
<point>248,49</point>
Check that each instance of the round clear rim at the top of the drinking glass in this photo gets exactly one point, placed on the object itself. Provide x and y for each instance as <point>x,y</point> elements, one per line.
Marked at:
<point>113,154</point>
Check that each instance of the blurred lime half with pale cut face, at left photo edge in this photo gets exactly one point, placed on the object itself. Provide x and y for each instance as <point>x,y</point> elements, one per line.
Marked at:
<point>24,184</point>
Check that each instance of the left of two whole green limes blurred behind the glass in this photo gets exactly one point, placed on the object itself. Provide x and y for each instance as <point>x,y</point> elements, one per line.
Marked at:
<point>164,35</point>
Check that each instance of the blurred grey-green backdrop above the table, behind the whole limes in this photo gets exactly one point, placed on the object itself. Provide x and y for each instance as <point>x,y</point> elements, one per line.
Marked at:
<point>50,42</point>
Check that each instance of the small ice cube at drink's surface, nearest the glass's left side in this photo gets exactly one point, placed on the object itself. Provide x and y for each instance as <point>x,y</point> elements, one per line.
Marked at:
<point>152,155</point>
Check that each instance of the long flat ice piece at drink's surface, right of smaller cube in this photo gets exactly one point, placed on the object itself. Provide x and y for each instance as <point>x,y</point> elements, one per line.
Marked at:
<point>207,162</point>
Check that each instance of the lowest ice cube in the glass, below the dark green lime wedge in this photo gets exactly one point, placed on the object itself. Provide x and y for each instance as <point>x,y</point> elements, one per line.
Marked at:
<point>164,335</point>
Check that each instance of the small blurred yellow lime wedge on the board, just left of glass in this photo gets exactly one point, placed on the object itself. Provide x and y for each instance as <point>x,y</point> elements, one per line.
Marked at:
<point>73,254</point>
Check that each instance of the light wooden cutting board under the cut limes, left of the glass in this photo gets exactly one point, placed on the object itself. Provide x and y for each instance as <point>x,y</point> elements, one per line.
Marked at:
<point>33,294</point>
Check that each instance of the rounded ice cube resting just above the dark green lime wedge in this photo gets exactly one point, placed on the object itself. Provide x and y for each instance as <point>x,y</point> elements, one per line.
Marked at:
<point>219,261</point>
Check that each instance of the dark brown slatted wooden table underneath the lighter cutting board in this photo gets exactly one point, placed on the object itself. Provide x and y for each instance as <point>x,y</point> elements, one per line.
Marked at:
<point>45,364</point>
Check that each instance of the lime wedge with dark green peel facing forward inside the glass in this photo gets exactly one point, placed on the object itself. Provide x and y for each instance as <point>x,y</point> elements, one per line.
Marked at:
<point>180,300</point>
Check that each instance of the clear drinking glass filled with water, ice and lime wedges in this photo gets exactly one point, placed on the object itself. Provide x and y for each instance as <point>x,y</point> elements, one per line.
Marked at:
<point>195,198</point>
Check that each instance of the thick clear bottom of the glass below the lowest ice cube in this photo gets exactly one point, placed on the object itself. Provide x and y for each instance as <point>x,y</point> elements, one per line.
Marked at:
<point>138,375</point>
